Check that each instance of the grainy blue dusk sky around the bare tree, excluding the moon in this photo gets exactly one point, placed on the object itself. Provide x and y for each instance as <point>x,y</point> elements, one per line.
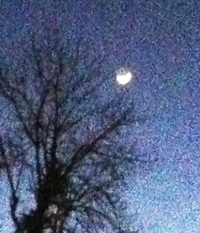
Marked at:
<point>159,41</point>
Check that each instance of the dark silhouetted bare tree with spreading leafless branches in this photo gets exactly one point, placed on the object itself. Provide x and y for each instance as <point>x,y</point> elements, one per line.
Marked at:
<point>60,134</point>
